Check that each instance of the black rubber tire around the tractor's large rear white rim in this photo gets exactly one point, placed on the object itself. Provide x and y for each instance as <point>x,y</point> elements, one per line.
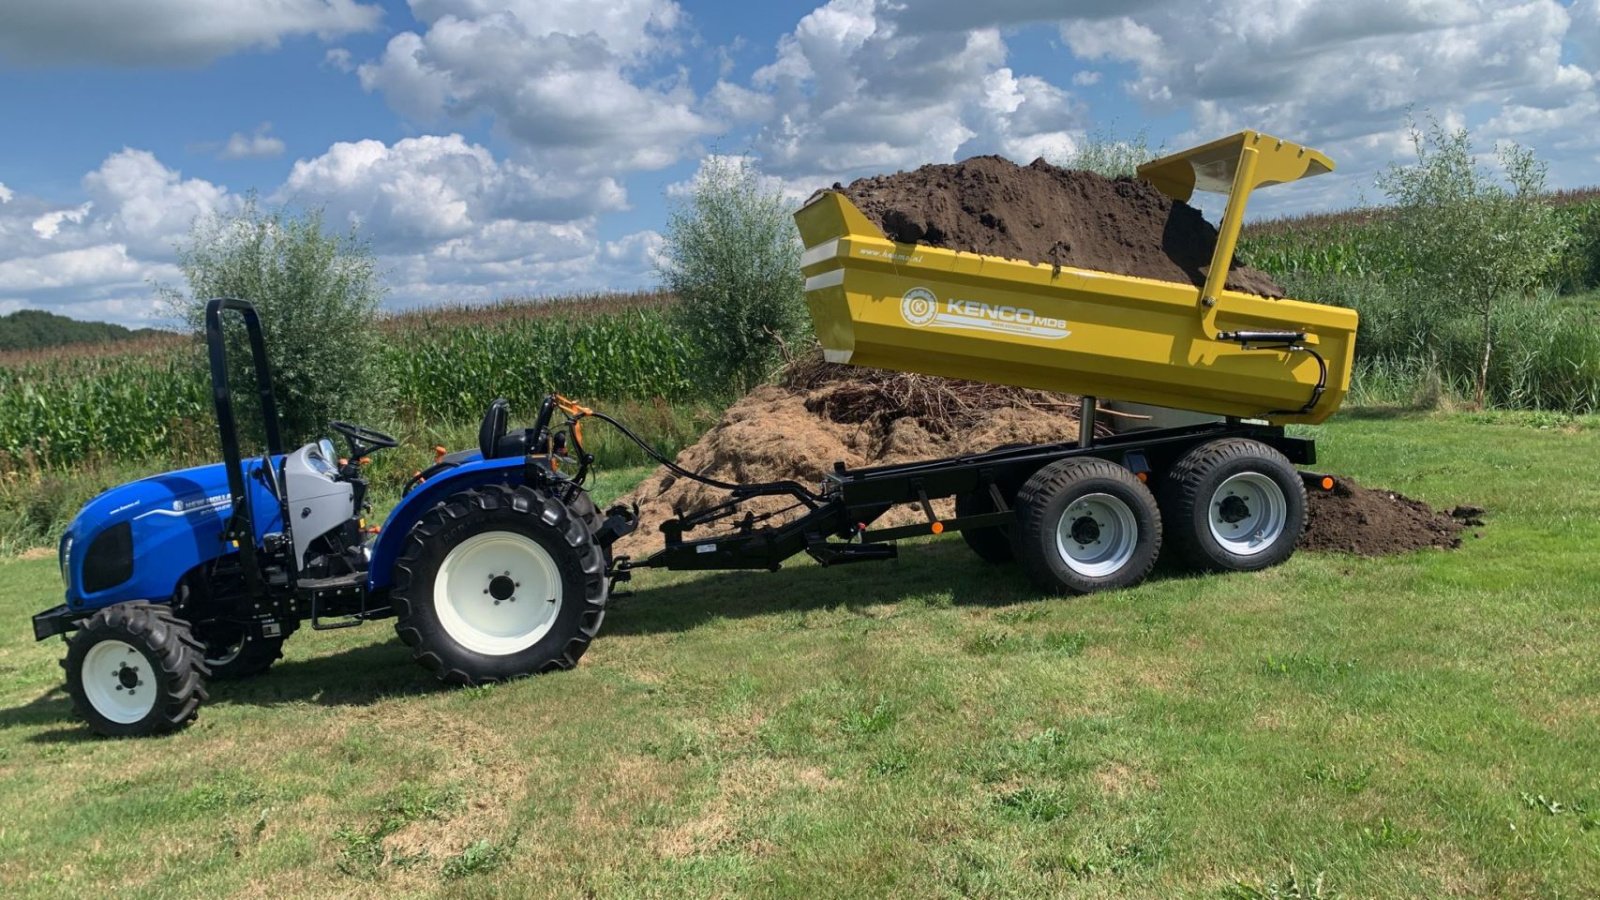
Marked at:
<point>524,500</point>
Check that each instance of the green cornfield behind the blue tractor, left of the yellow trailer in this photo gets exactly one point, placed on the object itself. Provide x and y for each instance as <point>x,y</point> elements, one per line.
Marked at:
<point>153,400</point>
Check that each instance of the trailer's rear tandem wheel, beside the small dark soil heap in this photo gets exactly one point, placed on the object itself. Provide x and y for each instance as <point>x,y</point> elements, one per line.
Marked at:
<point>1234,505</point>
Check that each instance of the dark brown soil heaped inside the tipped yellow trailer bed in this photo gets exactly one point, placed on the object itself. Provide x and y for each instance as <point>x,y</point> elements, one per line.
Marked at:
<point>1044,214</point>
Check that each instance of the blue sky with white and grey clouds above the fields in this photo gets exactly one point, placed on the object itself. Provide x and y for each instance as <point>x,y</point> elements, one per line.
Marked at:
<point>495,148</point>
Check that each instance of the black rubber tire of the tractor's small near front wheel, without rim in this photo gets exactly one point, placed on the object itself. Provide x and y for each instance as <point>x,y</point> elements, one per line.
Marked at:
<point>178,657</point>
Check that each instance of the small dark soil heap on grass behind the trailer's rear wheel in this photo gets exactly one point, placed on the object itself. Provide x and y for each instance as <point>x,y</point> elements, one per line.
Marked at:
<point>1380,523</point>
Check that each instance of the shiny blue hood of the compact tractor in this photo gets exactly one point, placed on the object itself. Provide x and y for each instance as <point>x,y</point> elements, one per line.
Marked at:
<point>137,540</point>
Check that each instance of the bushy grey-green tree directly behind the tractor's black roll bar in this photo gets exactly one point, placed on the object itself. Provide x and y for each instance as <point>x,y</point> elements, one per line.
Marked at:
<point>318,295</point>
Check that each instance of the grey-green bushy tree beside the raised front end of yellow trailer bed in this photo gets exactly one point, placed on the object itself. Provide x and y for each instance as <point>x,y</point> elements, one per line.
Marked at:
<point>734,260</point>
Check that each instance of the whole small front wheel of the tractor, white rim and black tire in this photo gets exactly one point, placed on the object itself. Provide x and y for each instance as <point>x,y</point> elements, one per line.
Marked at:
<point>135,670</point>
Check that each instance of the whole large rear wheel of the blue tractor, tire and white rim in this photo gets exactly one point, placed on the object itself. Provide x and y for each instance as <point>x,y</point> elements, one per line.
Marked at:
<point>500,584</point>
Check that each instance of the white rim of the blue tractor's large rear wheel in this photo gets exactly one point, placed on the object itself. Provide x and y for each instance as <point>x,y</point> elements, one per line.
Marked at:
<point>498,593</point>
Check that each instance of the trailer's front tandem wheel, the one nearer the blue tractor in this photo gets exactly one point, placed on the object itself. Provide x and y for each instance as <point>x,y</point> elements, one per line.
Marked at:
<point>1084,526</point>
